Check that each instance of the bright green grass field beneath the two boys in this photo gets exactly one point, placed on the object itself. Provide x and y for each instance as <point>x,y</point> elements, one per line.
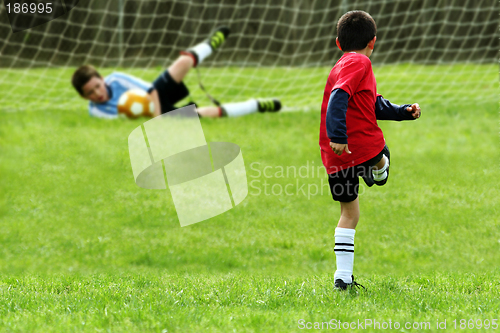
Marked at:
<point>83,249</point>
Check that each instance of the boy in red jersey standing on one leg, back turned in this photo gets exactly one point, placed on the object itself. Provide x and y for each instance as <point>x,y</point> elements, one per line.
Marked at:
<point>352,144</point>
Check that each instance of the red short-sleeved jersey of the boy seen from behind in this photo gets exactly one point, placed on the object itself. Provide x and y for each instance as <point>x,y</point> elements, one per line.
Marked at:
<point>353,73</point>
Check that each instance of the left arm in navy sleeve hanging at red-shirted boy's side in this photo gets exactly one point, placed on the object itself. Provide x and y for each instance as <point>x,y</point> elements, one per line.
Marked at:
<point>335,121</point>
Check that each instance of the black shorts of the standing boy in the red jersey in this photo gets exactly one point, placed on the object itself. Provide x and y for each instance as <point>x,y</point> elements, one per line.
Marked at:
<point>344,184</point>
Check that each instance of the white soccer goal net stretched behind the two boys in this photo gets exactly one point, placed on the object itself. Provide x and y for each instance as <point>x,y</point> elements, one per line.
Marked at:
<point>426,50</point>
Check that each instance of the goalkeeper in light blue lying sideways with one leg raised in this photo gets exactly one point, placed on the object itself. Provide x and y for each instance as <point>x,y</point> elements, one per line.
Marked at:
<point>166,90</point>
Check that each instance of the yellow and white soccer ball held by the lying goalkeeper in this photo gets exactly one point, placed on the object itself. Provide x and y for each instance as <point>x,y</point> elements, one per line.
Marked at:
<point>135,103</point>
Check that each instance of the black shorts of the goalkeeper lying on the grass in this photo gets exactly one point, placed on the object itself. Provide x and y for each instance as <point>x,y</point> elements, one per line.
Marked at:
<point>169,91</point>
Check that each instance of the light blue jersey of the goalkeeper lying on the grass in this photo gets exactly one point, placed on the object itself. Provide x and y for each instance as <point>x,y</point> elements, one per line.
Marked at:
<point>116,83</point>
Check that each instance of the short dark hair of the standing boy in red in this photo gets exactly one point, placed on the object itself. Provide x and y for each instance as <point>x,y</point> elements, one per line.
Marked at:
<point>355,30</point>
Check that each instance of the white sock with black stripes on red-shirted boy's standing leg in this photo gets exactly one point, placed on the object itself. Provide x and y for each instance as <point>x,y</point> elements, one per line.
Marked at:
<point>344,252</point>
